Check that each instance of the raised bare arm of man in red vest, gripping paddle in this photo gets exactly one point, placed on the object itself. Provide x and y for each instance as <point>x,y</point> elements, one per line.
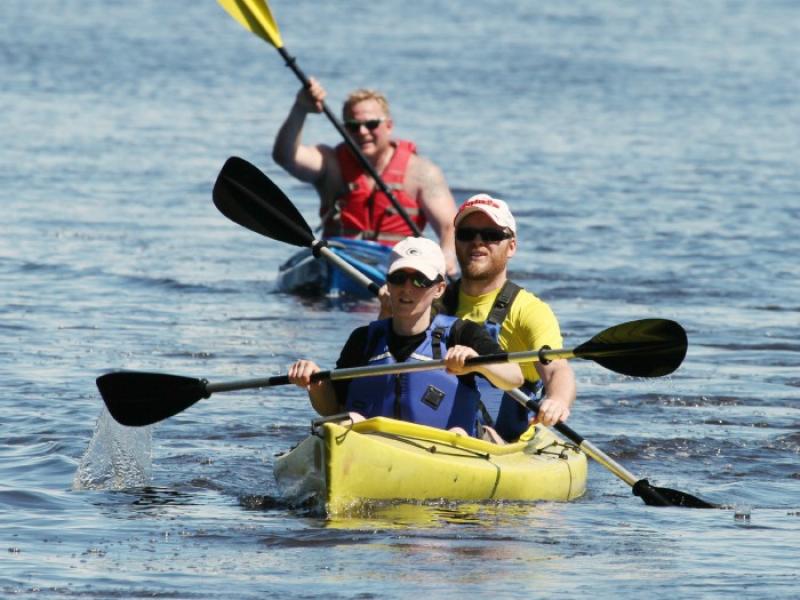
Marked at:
<point>306,163</point>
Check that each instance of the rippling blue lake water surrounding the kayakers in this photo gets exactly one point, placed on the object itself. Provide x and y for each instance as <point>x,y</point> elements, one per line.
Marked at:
<point>650,152</point>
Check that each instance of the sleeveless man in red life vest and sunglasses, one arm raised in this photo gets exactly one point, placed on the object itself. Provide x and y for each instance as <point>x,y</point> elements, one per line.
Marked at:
<point>351,205</point>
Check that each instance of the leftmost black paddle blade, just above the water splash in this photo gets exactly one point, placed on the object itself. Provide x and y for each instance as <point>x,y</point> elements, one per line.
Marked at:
<point>137,399</point>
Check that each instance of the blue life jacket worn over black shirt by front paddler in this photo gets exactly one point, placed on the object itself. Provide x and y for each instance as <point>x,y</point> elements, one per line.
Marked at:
<point>434,398</point>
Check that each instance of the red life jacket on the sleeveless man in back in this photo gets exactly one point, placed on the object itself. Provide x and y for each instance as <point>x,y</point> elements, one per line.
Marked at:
<point>367,213</point>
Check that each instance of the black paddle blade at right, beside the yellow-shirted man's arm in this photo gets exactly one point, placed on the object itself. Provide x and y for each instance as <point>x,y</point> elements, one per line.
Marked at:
<point>644,348</point>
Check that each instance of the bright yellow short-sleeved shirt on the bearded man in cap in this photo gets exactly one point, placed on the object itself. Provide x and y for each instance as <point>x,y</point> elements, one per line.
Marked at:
<point>529,324</point>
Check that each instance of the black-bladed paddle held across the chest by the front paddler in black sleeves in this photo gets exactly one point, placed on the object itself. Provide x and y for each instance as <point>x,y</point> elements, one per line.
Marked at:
<point>653,347</point>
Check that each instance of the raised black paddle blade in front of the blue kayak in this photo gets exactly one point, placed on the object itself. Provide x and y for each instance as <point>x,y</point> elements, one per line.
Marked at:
<point>248,197</point>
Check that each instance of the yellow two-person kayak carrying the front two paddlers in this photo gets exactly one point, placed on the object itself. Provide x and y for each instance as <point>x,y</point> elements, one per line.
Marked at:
<point>343,465</point>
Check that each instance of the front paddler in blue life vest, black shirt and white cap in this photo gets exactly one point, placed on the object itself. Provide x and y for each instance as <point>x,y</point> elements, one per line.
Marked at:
<point>447,399</point>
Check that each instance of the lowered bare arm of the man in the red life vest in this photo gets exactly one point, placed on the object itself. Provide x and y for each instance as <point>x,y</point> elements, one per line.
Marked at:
<point>437,203</point>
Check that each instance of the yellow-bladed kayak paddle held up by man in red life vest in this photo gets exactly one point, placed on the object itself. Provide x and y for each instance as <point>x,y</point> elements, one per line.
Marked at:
<point>256,17</point>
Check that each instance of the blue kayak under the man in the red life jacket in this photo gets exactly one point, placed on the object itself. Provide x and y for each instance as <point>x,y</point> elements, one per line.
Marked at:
<point>304,274</point>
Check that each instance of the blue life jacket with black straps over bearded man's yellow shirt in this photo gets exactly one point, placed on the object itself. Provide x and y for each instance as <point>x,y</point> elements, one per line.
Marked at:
<point>496,408</point>
